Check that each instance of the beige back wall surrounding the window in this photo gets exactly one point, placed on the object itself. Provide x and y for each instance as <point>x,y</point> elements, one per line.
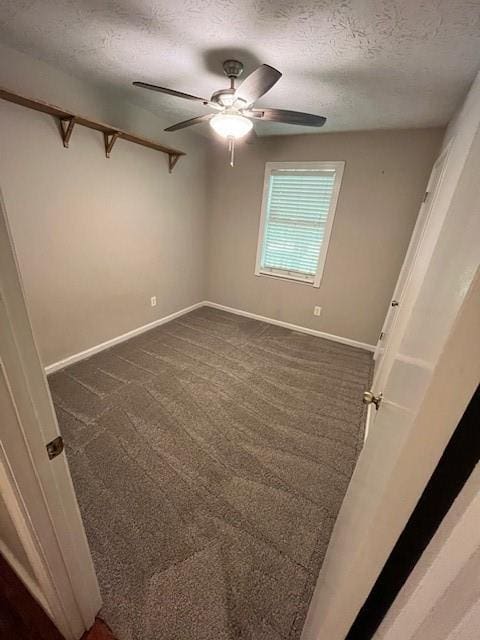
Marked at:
<point>383,184</point>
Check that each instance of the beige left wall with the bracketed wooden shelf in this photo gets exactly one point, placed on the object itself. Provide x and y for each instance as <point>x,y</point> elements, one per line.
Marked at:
<point>96,238</point>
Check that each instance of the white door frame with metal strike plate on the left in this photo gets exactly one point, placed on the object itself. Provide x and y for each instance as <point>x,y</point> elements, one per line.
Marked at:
<point>41,531</point>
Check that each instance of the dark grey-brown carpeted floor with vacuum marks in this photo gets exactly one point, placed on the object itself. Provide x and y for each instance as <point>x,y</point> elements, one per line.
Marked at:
<point>210,457</point>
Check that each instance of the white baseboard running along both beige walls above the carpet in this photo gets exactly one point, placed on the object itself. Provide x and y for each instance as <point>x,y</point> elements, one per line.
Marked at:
<point>76,357</point>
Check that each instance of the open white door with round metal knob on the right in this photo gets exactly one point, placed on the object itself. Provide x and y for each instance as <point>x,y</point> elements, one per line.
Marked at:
<point>403,446</point>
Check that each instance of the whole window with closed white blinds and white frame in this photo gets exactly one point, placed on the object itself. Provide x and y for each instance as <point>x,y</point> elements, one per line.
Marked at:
<point>299,200</point>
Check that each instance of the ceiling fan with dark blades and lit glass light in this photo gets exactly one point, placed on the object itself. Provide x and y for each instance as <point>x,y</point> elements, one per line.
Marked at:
<point>235,107</point>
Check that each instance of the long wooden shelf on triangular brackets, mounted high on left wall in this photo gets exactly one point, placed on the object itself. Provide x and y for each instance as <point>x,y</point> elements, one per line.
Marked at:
<point>68,120</point>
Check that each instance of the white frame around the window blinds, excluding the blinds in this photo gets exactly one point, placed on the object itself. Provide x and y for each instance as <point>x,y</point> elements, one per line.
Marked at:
<point>338,167</point>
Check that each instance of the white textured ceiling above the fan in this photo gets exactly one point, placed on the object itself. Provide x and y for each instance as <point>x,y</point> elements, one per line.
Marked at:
<point>365,64</point>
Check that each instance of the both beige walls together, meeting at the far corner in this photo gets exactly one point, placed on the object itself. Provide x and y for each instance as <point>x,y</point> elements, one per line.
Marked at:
<point>96,238</point>
